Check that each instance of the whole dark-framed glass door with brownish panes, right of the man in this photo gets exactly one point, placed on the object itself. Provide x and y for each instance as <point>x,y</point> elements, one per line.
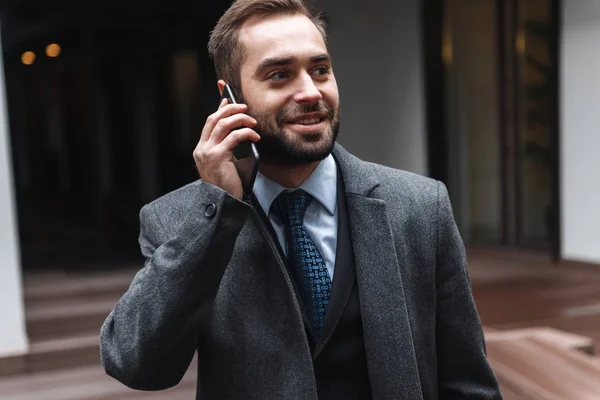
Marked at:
<point>496,149</point>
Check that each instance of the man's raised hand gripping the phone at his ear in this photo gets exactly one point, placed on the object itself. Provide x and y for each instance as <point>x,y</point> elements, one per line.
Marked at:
<point>222,135</point>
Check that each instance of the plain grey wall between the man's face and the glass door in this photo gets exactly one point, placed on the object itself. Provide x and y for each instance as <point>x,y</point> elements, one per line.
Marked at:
<point>377,59</point>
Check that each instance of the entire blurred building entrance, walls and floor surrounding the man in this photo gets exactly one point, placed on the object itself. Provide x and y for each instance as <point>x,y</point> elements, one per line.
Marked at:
<point>102,103</point>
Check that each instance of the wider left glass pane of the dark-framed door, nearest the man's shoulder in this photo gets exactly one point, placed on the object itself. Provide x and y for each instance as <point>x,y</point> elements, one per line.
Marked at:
<point>472,118</point>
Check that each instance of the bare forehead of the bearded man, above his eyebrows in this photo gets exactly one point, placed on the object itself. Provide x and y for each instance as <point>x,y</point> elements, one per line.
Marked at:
<point>280,35</point>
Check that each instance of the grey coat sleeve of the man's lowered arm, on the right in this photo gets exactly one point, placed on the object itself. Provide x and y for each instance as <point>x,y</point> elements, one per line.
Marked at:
<point>463,369</point>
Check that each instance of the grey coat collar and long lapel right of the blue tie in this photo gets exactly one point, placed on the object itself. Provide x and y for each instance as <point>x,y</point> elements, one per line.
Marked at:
<point>391,355</point>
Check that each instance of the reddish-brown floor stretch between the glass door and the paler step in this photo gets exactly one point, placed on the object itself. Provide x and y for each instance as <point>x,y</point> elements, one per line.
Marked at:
<point>514,290</point>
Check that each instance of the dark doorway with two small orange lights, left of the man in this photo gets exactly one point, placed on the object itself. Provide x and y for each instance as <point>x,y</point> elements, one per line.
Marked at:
<point>106,105</point>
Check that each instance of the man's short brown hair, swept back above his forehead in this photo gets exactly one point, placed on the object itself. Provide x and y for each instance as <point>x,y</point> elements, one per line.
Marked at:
<point>224,47</point>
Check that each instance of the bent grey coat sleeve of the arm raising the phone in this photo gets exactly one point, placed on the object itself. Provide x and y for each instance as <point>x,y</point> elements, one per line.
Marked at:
<point>148,340</point>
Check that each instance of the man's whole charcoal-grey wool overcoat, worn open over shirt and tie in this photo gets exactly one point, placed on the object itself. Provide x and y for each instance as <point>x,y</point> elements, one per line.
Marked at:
<point>212,284</point>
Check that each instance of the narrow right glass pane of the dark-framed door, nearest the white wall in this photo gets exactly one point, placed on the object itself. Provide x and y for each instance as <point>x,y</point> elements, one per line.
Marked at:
<point>535,105</point>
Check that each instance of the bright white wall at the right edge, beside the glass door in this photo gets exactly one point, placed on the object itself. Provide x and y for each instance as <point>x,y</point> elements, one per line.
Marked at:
<point>580,130</point>
